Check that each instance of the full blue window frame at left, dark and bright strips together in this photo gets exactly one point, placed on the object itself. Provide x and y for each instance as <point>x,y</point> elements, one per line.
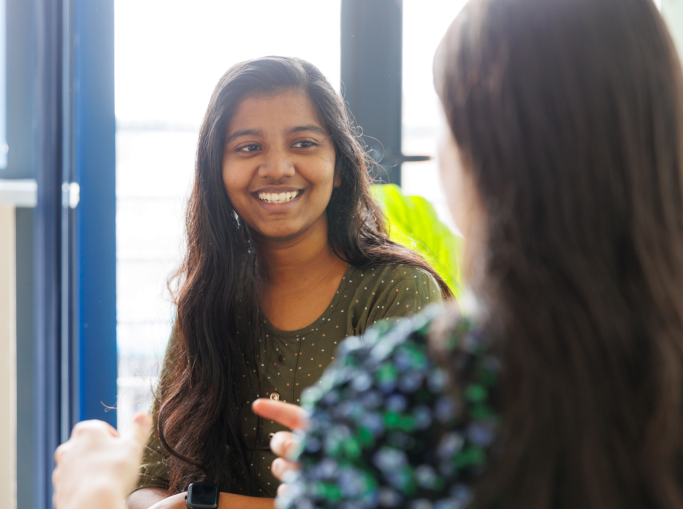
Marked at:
<point>75,243</point>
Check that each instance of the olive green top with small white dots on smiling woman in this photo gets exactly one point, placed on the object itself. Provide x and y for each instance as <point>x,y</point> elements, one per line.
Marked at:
<point>290,361</point>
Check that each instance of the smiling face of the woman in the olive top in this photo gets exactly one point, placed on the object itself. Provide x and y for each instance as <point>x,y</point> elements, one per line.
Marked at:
<point>278,165</point>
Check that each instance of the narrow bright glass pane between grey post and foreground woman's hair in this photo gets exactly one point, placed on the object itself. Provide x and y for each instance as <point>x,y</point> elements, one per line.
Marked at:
<point>424,24</point>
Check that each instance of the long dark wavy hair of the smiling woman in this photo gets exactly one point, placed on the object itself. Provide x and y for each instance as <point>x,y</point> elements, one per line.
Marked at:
<point>199,421</point>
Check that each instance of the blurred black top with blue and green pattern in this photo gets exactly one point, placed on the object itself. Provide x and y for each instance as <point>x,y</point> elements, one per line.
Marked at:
<point>389,427</point>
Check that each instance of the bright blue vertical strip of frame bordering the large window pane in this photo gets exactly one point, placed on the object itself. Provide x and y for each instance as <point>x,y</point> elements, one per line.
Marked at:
<point>95,165</point>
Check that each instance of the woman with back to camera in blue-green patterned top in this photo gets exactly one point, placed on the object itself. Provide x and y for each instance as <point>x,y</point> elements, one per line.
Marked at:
<point>562,165</point>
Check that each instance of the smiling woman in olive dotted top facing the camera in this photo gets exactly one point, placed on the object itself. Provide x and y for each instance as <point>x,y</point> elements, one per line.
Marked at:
<point>286,256</point>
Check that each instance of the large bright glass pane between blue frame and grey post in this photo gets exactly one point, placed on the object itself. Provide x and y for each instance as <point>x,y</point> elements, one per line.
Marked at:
<point>169,56</point>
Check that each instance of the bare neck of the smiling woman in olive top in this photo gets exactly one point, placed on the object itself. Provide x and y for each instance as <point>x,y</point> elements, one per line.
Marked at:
<point>298,261</point>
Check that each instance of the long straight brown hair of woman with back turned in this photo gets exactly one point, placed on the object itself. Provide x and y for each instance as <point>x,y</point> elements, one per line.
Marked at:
<point>568,115</point>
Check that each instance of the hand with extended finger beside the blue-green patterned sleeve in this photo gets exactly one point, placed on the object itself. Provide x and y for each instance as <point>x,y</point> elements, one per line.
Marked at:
<point>284,444</point>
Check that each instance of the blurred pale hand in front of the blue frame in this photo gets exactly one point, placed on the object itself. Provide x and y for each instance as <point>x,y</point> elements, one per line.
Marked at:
<point>97,467</point>
